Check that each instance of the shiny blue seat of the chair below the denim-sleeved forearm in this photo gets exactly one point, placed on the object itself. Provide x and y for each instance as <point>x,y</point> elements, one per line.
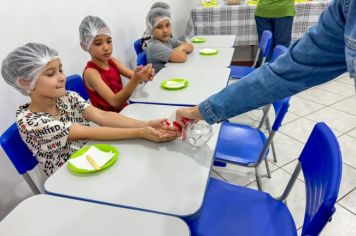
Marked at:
<point>250,141</point>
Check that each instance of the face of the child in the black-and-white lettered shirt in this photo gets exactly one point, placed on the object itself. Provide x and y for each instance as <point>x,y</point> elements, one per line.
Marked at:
<point>51,81</point>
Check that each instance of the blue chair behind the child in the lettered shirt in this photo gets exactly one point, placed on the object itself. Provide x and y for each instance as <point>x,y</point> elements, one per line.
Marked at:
<point>19,154</point>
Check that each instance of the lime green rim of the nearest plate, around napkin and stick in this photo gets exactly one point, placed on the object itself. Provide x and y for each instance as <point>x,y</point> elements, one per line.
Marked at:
<point>102,147</point>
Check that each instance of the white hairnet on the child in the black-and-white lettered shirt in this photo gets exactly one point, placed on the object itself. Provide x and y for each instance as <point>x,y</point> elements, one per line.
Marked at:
<point>26,63</point>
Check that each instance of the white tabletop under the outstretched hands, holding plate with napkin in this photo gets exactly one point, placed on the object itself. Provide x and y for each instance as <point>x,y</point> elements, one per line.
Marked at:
<point>170,178</point>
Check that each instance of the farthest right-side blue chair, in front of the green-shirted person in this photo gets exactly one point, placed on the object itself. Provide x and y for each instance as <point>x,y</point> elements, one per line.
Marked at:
<point>238,72</point>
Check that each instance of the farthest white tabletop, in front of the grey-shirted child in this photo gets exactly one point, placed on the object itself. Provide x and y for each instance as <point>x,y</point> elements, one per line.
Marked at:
<point>215,41</point>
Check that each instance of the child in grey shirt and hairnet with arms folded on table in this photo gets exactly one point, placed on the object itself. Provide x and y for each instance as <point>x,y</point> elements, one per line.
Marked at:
<point>162,48</point>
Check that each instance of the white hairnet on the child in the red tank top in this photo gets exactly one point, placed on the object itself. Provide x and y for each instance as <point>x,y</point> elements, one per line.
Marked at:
<point>90,27</point>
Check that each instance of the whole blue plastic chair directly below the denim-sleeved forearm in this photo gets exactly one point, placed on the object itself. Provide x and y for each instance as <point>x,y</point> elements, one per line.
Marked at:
<point>248,146</point>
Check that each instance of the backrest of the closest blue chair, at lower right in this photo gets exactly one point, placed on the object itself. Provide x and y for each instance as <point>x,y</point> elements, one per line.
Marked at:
<point>322,168</point>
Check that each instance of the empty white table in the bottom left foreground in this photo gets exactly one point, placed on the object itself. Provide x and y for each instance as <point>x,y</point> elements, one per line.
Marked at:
<point>56,216</point>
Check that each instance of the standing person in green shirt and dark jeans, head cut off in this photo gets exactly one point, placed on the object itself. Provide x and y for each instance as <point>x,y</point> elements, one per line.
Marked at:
<point>277,17</point>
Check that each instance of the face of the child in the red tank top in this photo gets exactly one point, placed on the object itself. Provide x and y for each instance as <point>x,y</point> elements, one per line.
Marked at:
<point>101,48</point>
